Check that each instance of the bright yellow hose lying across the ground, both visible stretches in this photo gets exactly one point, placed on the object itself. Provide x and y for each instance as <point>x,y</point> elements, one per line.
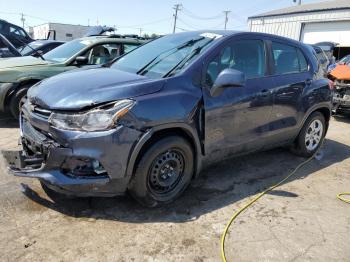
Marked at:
<point>237,213</point>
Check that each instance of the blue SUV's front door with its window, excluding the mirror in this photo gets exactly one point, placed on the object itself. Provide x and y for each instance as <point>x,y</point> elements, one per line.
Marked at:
<point>238,119</point>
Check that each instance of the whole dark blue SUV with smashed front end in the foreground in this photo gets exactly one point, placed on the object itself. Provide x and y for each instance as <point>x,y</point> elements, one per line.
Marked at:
<point>151,120</point>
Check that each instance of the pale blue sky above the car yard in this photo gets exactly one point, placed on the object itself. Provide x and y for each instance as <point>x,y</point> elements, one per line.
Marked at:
<point>130,15</point>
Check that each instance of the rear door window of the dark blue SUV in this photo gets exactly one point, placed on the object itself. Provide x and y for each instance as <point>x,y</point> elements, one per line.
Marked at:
<point>288,59</point>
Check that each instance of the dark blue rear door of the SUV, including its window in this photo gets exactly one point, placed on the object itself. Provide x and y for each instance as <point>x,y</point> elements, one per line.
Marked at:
<point>291,75</point>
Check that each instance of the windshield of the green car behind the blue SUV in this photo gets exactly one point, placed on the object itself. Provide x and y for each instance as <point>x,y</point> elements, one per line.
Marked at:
<point>66,51</point>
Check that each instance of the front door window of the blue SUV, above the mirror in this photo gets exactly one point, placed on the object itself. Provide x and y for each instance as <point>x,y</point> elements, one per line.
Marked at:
<point>247,56</point>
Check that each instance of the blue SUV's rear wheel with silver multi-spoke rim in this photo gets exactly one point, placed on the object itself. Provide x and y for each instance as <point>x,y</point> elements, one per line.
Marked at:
<point>311,135</point>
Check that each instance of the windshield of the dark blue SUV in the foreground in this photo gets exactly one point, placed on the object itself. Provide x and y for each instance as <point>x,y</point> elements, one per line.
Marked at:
<point>157,58</point>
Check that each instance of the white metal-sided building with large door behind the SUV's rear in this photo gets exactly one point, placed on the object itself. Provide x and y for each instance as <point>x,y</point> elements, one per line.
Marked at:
<point>309,23</point>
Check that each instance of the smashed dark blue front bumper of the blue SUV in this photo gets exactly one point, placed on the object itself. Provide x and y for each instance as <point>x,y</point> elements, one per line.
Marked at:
<point>73,162</point>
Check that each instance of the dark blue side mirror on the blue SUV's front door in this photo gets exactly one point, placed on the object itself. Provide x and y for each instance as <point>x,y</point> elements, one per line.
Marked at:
<point>227,78</point>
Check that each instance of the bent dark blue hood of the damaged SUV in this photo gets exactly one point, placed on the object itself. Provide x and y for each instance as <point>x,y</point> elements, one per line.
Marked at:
<point>86,88</point>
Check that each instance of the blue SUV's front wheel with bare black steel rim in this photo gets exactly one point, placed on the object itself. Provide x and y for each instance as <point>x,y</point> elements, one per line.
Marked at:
<point>163,172</point>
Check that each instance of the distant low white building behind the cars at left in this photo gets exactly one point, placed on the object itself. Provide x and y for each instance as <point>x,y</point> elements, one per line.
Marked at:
<point>64,32</point>
